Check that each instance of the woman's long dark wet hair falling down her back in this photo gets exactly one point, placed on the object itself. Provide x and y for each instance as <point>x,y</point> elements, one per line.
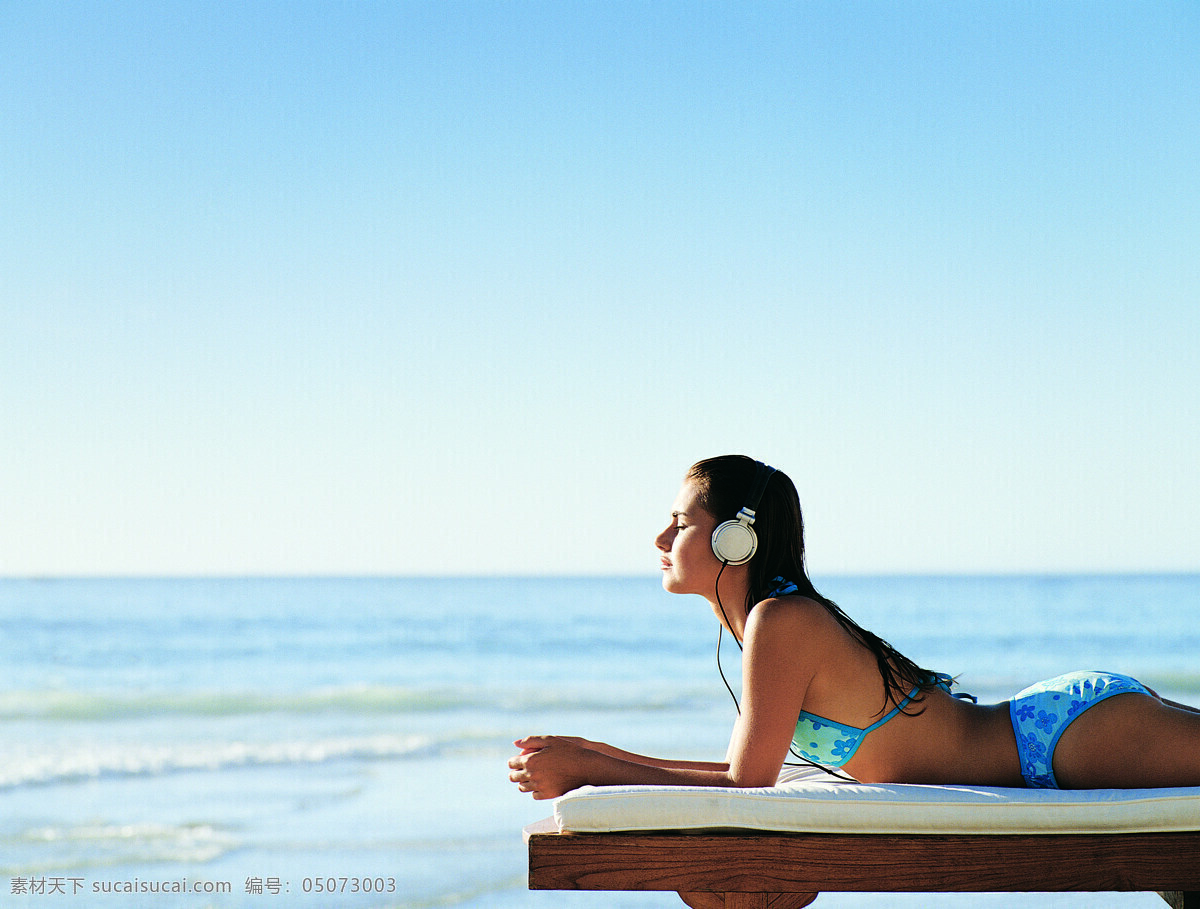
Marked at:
<point>722,489</point>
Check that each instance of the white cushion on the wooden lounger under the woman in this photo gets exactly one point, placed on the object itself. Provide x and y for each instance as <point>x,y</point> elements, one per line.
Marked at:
<point>809,802</point>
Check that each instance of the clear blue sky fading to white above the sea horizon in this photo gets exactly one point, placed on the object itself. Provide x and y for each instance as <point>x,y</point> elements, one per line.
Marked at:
<point>464,288</point>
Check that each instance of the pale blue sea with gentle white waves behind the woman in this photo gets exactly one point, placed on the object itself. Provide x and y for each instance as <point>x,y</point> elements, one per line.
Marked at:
<point>343,743</point>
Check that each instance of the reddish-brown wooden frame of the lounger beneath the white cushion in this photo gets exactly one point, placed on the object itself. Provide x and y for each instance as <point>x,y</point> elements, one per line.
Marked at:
<point>748,870</point>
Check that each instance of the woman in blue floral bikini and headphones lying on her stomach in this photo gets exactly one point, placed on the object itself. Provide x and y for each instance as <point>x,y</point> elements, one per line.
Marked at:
<point>831,693</point>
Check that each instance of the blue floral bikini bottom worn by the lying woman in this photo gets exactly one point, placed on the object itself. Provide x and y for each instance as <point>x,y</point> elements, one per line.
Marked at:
<point>1042,713</point>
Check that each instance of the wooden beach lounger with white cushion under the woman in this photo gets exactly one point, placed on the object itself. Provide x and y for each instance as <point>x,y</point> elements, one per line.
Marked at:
<point>779,848</point>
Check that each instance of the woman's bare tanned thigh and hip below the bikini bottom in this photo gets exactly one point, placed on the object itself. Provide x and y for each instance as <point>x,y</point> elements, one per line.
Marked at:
<point>1130,742</point>
